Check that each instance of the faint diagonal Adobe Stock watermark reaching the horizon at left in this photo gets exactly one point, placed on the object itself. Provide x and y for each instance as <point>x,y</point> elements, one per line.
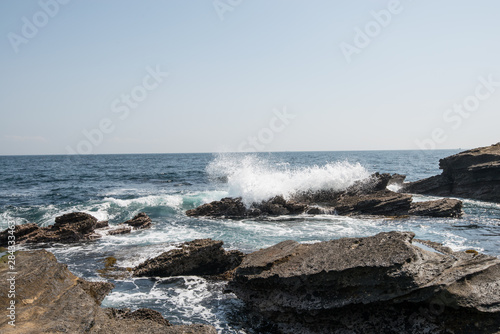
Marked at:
<point>121,107</point>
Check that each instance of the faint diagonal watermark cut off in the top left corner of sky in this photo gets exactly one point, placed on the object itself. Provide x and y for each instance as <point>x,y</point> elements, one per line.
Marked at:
<point>32,25</point>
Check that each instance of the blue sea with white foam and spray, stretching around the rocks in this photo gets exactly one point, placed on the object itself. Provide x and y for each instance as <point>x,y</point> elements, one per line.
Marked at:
<point>117,187</point>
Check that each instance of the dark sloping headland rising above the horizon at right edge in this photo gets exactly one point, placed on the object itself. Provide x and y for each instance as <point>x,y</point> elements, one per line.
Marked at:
<point>471,174</point>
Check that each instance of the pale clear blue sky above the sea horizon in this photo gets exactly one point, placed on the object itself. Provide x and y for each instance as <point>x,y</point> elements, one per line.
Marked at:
<point>122,76</point>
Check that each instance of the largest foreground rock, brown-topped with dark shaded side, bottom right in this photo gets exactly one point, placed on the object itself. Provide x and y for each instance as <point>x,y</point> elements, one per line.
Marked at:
<point>387,283</point>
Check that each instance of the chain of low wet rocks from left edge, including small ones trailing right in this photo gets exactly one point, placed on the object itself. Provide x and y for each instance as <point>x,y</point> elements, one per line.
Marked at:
<point>73,227</point>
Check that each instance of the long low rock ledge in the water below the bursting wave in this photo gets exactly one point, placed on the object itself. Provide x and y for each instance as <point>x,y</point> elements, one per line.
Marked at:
<point>367,197</point>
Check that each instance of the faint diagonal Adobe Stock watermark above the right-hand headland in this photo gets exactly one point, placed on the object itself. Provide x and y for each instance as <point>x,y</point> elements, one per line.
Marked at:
<point>455,115</point>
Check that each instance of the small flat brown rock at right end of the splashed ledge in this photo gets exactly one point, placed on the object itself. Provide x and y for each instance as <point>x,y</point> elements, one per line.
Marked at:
<point>446,207</point>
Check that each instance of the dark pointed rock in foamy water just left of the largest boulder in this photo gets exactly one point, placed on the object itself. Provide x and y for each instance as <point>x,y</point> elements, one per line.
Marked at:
<point>197,257</point>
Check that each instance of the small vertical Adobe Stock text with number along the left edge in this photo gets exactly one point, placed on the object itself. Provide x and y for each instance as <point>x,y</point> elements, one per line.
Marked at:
<point>11,274</point>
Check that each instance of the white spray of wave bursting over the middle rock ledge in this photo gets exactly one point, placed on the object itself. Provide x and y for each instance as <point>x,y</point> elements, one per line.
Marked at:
<point>256,179</point>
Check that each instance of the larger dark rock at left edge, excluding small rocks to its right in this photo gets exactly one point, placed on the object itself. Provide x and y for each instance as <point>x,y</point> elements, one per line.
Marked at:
<point>71,227</point>
